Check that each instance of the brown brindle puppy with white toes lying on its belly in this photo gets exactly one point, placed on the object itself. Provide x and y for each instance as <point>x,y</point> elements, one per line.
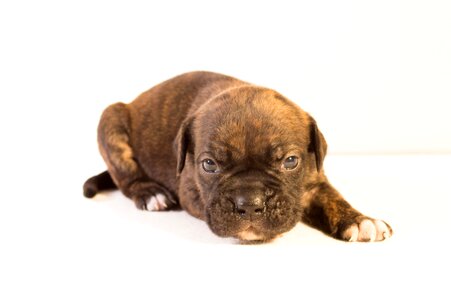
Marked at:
<point>241,157</point>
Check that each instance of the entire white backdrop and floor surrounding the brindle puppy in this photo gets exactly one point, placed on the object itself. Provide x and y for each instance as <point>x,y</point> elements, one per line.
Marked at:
<point>375,74</point>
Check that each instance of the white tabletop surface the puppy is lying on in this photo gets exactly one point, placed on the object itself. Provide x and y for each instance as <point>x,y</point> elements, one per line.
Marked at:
<point>57,244</point>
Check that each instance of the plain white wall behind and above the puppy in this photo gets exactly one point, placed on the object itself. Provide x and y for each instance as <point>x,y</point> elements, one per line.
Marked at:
<point>375,74</point>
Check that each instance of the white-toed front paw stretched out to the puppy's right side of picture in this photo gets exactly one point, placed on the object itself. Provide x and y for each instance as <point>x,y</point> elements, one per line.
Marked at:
<point>365,229</point>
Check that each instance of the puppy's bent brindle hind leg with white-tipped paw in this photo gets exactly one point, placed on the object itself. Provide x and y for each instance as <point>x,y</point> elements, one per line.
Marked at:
<point>114,144</point>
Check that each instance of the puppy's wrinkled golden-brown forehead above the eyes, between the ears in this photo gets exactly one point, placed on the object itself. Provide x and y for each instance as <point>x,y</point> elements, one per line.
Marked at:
<point>257,124</point>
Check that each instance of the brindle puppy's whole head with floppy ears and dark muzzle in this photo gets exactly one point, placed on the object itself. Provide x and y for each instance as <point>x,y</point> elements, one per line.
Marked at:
<point>251,151</point>
